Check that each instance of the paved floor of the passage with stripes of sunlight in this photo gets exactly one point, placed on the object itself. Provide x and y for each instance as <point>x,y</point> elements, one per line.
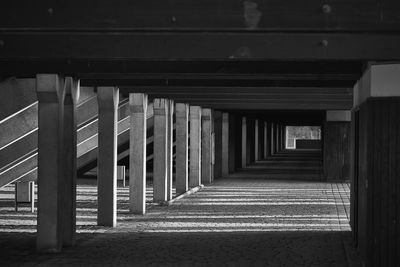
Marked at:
<point>236,221</point>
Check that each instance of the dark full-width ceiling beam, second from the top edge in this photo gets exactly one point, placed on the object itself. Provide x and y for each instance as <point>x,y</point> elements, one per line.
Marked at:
<point>250,45</point>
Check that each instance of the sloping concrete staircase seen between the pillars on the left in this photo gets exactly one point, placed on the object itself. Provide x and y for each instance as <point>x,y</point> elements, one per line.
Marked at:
<point>19,132</point>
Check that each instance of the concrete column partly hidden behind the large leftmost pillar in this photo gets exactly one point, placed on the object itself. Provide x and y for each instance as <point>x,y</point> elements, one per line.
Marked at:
<point>68,200</point>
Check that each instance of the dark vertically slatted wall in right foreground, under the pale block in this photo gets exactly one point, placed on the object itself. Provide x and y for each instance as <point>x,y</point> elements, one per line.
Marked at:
<point>378,168</point>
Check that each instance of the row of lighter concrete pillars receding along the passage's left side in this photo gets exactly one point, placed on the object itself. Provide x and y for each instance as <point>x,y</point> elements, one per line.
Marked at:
<point>202,148</point>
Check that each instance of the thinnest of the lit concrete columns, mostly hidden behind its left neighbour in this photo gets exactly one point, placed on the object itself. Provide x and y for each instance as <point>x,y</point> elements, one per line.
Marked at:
<point>170,146</point>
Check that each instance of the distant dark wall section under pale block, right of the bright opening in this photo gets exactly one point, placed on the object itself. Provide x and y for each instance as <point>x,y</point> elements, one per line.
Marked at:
<point>336,150</point>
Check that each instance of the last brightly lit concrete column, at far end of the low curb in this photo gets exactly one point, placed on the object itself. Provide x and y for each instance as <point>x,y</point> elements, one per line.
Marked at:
<point>206,146</point>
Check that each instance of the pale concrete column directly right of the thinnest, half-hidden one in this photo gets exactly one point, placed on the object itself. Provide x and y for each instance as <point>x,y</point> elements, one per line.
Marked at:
<point>182,147</point>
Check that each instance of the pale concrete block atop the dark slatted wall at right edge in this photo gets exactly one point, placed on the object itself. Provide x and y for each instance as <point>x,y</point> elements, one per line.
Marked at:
<point>379,80</point>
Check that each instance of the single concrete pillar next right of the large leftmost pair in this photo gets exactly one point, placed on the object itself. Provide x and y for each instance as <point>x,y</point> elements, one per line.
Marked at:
<point>108,99</point>
